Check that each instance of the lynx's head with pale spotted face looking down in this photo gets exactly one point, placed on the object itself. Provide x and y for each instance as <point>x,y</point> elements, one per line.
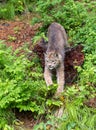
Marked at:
<point>52,60</point>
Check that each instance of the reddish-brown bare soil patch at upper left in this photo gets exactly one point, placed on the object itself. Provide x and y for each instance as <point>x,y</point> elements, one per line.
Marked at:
<point>17,33</point>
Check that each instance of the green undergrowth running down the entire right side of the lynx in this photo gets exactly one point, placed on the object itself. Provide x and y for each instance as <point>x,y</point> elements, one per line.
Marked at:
<point>79,20</point>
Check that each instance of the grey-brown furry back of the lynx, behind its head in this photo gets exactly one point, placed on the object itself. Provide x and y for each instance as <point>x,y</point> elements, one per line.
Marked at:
<point>57,38</point>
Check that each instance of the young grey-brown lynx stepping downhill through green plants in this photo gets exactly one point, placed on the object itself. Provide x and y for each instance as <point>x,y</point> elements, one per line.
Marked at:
<point>54,57</point>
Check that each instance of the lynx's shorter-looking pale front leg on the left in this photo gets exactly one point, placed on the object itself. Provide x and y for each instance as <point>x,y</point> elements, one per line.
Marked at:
<point>47,77</point>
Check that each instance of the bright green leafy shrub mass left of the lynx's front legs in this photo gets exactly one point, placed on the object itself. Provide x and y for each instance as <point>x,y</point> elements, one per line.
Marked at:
<point>21,85</point>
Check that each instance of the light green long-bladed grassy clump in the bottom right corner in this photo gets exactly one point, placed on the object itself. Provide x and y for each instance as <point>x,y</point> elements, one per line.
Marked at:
<point>73,118</point>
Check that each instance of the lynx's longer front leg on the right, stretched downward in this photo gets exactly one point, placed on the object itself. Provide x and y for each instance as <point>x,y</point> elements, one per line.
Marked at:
<point>60,79</point>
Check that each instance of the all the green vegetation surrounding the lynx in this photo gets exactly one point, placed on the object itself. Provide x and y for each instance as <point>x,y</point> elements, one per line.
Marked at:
<point>21,81</point>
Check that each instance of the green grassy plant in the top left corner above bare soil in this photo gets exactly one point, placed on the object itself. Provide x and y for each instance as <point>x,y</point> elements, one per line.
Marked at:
<point>11,8</point>
